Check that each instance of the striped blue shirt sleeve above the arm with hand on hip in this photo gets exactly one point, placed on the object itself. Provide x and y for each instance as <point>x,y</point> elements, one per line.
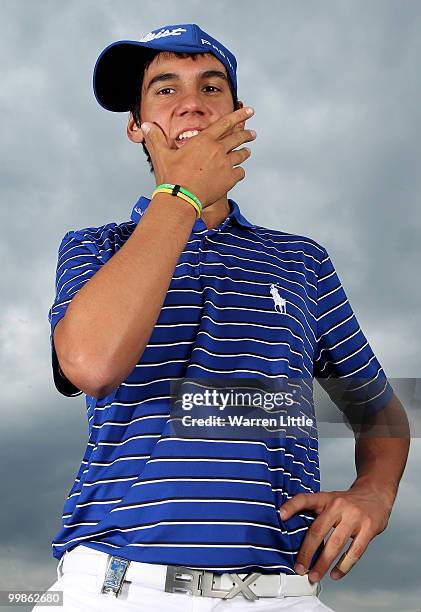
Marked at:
<point>344,363</point>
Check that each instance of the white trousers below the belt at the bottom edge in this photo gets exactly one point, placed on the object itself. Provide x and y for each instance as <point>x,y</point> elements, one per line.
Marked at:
<point>81,593</point>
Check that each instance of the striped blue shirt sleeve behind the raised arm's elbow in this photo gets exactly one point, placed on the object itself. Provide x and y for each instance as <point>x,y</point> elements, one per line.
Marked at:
<point>77,263</point>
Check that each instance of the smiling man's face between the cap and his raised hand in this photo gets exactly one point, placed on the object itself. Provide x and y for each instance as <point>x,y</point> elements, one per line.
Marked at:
<point>190,101</point>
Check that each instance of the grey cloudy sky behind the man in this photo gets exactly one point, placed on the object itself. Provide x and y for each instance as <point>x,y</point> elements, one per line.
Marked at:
<point>336,89</point>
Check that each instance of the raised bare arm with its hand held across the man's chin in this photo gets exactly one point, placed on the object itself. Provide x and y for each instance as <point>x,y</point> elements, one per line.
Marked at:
<point>108,323</point>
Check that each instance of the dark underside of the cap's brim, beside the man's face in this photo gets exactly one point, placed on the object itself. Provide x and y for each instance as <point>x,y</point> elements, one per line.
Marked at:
<point>117,73</point>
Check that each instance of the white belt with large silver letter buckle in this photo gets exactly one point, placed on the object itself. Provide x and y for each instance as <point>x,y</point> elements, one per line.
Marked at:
<point>175,579</point>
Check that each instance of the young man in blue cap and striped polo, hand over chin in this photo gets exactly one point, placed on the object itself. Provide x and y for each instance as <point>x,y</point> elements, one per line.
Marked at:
<point>189,288</point>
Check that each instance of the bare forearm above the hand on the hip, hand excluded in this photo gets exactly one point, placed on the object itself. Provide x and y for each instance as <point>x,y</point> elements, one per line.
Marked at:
<point>380,460</point>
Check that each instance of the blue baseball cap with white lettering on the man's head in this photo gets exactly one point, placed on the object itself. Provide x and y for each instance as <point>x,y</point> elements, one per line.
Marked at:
<point>115,81</point>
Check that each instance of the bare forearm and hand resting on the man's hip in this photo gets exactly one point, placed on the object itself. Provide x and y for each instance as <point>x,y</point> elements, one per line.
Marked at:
<point>362,511</point>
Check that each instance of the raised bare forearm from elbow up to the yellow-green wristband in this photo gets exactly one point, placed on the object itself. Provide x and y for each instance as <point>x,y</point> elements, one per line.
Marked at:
<point>110,320</point>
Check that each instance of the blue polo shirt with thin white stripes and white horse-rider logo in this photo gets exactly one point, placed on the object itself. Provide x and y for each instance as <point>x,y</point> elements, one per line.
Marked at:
<point>153,497</point>
